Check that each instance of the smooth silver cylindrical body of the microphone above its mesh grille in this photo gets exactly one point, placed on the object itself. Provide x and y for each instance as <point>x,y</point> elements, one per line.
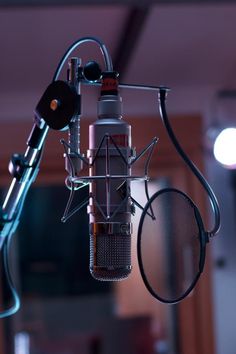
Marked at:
<point>106,162</point>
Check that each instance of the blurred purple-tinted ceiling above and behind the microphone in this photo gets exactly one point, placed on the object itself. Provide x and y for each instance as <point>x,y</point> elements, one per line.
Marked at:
<point>191,48</point>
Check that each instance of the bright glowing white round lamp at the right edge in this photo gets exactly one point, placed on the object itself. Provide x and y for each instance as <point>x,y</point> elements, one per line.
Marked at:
<point>225,148</point>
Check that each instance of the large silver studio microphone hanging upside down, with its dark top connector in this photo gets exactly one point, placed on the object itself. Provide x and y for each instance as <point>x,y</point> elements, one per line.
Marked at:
<point>109,206</point>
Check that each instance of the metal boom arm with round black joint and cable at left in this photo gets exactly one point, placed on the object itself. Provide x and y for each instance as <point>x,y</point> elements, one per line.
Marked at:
<point>24,168</point>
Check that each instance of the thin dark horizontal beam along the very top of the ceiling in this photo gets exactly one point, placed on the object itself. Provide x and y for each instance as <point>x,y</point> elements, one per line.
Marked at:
<point>33,3</point>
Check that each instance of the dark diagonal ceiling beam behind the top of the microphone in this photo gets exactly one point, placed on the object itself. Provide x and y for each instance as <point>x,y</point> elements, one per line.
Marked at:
<point>129,38</point>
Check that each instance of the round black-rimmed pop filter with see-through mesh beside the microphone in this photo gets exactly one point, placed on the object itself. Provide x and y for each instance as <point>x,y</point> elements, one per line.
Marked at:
<point>171,245</point>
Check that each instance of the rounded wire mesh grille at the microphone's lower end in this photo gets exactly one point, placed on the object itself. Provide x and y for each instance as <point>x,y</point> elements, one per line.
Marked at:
<point>110,251</point>
